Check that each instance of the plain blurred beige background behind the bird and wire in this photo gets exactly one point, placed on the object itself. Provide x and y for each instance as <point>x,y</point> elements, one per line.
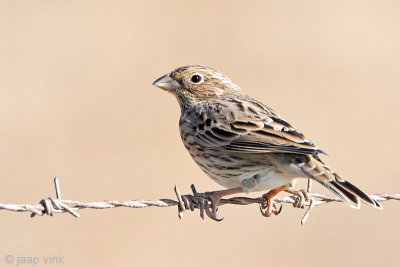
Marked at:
<point>77,102</point>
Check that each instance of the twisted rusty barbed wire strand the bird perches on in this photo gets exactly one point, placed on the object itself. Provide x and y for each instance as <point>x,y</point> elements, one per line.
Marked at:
<point>299,199</point>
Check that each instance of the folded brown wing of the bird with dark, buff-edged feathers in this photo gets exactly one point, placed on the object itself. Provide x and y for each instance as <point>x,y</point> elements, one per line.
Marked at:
<point>250,127</point>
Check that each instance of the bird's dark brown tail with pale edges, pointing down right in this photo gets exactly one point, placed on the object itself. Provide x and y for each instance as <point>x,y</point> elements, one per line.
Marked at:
<point>350,194</point>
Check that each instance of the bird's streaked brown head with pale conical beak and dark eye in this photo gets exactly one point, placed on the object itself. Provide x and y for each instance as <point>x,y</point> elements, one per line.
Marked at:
<point>193,84</point>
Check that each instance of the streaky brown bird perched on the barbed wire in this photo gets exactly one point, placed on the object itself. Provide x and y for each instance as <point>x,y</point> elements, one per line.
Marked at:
<point>244,145</point>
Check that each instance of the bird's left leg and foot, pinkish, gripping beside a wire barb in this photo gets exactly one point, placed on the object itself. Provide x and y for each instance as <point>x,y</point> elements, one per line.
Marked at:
<point>215,197</point>
